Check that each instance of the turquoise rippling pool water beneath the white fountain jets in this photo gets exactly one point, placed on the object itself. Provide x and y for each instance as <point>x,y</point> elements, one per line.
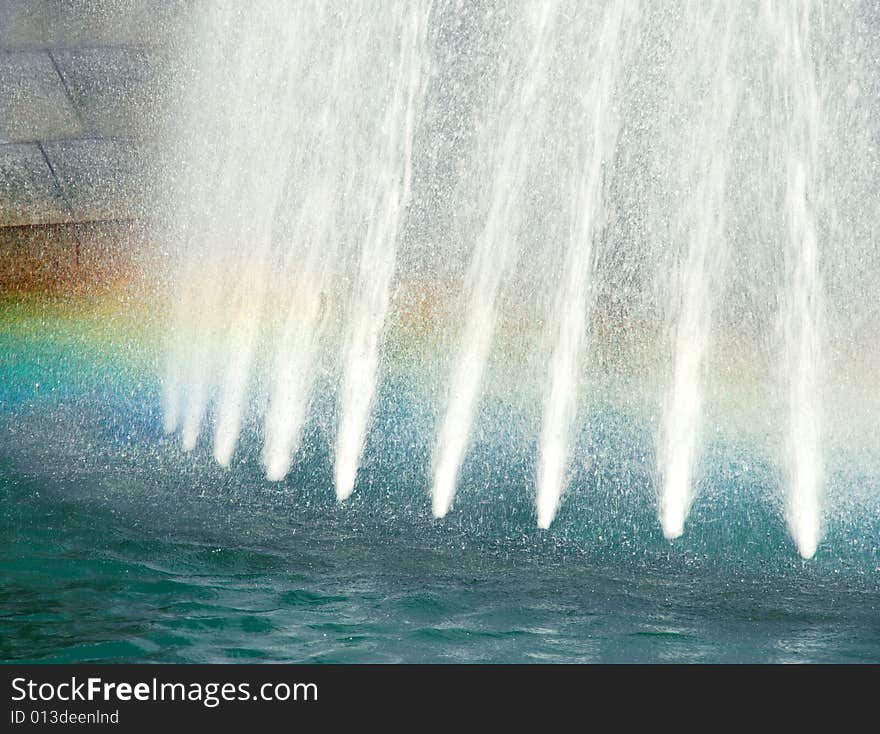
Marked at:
<point>115,546</point>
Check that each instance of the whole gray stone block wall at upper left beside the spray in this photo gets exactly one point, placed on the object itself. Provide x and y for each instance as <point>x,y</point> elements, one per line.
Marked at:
<point>82,81</point>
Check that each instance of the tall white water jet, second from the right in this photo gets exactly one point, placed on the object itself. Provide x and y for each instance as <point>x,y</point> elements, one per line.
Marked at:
<point>698,277</point>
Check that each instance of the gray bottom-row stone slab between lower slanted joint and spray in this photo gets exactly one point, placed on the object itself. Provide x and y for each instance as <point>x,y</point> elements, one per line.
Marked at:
<point>104,179</point>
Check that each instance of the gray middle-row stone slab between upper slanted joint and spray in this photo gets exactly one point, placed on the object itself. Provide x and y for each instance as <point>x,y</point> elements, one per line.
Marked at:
<point>117,91</point>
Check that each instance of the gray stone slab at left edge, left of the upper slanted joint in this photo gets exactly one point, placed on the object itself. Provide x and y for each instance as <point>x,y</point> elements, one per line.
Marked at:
<point>33,101</point>
